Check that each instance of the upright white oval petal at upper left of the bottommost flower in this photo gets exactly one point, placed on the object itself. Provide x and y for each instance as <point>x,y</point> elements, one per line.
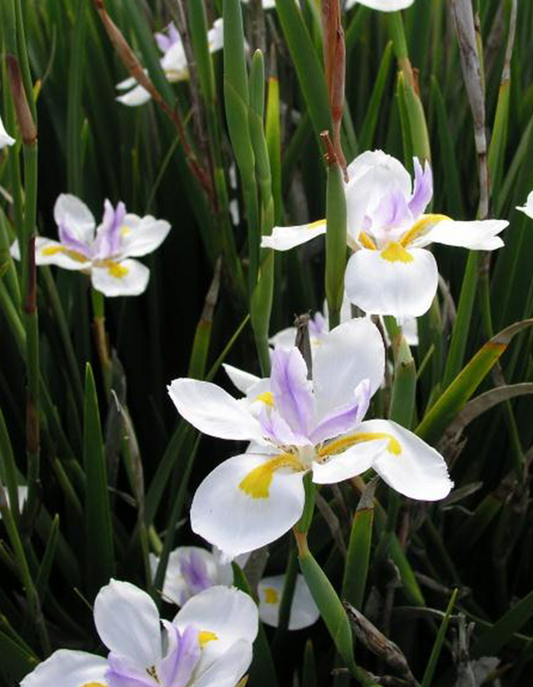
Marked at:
<point>127,621</point>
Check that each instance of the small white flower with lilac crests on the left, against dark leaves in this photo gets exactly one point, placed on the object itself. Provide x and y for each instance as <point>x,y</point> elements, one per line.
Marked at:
<point>105,251</point>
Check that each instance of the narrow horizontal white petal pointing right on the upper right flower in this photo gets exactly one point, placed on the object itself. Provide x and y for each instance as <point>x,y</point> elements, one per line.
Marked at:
<point>477,235</point>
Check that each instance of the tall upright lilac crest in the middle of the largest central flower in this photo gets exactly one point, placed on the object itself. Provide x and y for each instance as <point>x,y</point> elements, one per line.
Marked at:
<point>293,398</point>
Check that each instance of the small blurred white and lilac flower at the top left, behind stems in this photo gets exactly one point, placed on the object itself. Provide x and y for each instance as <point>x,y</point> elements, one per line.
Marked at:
<point>173,62</point>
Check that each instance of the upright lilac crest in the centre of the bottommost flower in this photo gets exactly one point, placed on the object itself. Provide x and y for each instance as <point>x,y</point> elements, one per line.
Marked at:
<point>177,667</point>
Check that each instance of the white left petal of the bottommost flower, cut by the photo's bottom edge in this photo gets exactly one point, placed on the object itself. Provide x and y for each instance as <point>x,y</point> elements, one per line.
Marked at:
<point>68,669</point>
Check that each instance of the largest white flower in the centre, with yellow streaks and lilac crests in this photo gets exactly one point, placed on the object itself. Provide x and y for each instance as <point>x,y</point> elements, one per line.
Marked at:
<point>296,426</point>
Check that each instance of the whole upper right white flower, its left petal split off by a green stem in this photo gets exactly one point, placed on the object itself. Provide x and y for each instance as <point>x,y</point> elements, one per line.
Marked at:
<point>391,272</point>
